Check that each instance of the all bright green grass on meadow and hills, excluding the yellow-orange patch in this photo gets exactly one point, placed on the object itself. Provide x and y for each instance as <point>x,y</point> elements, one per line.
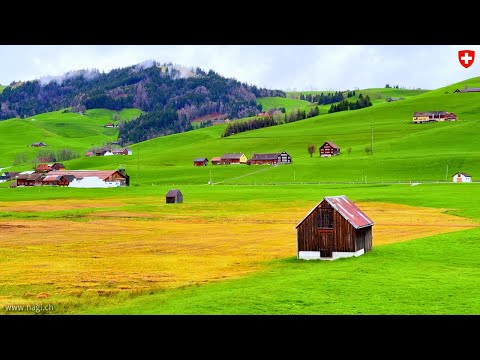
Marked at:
<point>431,275</point>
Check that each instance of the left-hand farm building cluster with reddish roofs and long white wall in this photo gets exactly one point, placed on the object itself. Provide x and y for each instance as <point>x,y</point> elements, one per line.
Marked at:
<point>46,175</point>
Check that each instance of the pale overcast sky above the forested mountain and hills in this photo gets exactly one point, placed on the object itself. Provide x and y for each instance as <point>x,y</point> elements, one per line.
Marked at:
<point>286,67</point>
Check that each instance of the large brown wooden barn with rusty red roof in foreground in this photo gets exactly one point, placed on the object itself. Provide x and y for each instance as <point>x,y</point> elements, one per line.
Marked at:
<point>333,229</point>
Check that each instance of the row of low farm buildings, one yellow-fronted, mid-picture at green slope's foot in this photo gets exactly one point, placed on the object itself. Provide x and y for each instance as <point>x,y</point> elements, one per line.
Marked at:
<point>241,158</point>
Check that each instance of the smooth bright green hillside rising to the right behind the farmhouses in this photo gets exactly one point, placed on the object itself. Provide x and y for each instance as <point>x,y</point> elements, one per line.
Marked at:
<point>401,151</point>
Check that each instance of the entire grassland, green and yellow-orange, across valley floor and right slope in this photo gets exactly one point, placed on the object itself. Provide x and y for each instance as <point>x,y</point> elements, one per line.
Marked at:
<point>230,247</point>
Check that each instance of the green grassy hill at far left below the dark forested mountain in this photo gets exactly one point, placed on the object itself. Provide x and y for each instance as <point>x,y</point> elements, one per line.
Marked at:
<point>58,130</point>
